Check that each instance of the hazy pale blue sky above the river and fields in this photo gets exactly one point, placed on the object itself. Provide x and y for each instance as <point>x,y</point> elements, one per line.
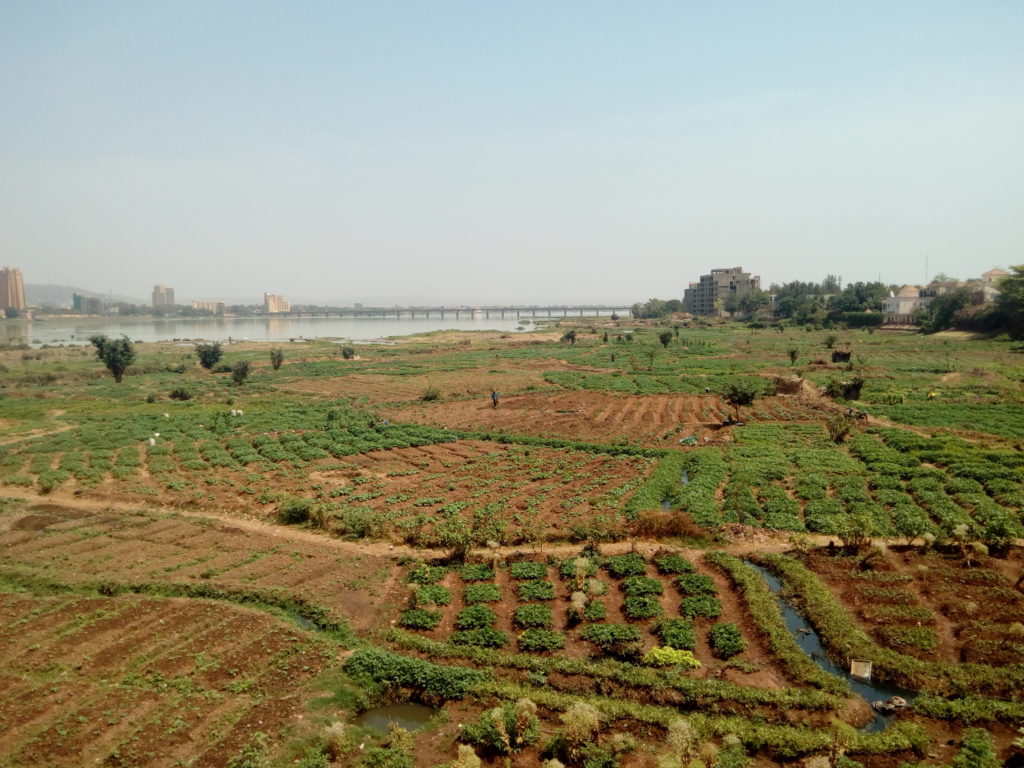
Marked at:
<point>506,152</point>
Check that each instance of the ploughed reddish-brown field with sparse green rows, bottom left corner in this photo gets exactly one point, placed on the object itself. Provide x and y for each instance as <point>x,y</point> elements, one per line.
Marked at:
<point>133,680</point>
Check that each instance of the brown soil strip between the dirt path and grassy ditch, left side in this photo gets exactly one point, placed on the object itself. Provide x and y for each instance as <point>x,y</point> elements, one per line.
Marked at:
<point>157,548</point>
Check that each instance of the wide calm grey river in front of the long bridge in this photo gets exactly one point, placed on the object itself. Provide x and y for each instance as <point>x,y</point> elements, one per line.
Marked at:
<point>78,330</point>
